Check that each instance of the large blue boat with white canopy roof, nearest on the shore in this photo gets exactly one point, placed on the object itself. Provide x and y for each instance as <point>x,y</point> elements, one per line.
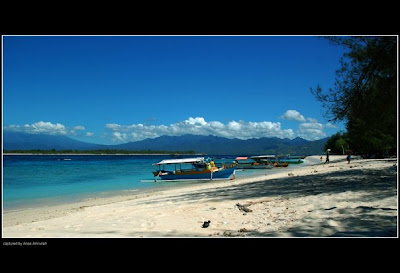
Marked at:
<point>191,169</point>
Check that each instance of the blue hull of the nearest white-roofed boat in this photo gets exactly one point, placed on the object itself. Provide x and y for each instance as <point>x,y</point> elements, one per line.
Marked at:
<point>201,175</point>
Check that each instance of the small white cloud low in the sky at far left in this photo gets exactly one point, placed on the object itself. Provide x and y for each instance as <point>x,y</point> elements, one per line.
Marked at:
<point>43,127</point>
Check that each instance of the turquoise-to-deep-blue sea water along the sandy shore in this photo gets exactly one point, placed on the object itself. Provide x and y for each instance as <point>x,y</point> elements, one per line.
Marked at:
<point>42,180</point>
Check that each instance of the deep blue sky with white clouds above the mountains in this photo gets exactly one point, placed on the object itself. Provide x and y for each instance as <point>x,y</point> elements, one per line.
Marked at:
<point>116,89</point>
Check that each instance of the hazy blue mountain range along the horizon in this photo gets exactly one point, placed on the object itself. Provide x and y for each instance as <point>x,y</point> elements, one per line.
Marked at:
<point>199,144</point>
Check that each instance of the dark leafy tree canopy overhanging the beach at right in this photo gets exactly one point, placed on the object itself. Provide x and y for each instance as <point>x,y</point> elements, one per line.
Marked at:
<point>365,93</point>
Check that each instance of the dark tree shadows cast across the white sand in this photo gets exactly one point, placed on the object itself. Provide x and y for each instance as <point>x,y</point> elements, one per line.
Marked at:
<point>362,221</point>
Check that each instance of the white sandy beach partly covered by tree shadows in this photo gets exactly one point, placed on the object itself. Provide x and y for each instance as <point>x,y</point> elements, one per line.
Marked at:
<point>336,199</point>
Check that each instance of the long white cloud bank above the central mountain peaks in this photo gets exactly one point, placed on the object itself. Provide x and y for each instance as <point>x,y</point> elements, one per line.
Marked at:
<point>199,126</point>
